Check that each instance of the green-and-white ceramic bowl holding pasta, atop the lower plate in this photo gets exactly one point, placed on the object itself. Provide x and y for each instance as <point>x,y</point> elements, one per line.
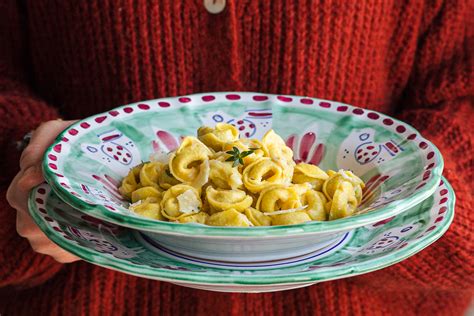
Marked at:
<point>87,161</point>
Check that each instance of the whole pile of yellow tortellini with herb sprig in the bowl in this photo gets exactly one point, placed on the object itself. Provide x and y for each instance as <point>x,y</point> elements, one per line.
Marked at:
<point>219,179</point>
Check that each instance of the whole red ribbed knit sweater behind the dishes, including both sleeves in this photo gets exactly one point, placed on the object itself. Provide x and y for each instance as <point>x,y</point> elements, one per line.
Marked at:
<point>75,58</point>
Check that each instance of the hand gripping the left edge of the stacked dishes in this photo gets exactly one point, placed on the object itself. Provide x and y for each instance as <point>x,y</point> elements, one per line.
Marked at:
<point>31,175</point>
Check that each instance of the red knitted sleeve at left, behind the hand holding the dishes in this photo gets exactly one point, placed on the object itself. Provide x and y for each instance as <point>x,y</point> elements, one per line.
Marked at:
<point>20,112</point>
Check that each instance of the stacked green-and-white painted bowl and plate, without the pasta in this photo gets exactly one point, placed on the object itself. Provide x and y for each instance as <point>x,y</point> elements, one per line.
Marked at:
<point>406,204</point>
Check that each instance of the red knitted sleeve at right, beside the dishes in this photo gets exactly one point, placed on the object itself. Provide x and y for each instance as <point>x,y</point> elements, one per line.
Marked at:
<point>439,103</point>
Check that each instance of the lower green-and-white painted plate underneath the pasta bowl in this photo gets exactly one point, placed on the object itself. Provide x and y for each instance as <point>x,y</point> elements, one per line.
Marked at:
<point>366,249</point>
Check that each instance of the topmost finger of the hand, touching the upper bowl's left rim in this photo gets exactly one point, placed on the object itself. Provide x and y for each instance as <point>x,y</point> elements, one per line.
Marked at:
<point>40,140</point>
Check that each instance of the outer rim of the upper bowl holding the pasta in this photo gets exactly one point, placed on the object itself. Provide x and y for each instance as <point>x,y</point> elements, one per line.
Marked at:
<point>143,223</point>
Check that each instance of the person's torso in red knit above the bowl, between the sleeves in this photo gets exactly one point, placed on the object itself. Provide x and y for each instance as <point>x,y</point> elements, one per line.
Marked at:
<point>90,56</point>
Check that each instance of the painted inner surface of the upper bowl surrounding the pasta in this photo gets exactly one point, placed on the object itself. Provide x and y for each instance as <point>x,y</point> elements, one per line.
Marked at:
<point>87,161</point>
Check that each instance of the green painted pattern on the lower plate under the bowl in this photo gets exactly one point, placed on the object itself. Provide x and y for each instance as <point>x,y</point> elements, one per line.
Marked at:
<point>415,229</point>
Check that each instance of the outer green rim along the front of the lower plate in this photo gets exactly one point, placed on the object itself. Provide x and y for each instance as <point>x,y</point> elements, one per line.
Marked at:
<point>324,274</point>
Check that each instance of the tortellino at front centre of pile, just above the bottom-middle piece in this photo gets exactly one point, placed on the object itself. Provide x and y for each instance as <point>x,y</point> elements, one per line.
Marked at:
<point>221,200</point>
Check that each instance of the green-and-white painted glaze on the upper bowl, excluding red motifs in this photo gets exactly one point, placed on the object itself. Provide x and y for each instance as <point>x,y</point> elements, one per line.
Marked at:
<point>331,127</point>
